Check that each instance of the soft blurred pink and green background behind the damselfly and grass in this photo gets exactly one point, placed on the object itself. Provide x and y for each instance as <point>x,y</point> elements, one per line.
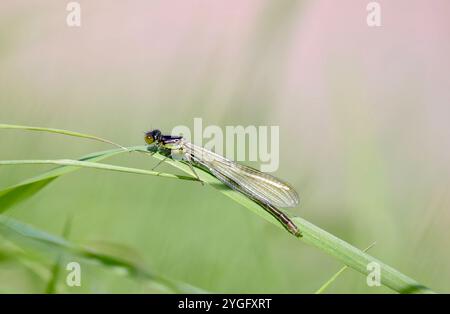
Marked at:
<point>363,115</point>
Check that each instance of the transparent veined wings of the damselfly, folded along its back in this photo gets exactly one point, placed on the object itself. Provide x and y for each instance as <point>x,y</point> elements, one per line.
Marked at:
<point>247,180</point>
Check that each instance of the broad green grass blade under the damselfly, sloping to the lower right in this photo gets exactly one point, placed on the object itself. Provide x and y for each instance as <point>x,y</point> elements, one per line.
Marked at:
<point>317,237</point>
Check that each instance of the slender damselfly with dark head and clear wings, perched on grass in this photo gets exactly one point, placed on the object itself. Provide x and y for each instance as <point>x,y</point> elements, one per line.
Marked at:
<point>262,188</point>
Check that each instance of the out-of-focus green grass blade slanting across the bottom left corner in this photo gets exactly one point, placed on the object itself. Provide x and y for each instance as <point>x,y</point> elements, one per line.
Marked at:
<point>22,234</point>
